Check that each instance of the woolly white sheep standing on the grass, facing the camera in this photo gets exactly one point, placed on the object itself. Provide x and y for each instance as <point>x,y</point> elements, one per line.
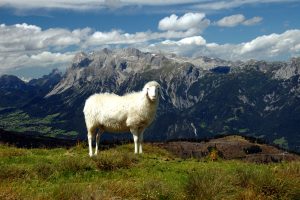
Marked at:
<point>132,112</point>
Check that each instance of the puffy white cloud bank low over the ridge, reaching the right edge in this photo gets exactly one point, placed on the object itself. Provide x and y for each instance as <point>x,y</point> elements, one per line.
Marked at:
<point>267,47</point>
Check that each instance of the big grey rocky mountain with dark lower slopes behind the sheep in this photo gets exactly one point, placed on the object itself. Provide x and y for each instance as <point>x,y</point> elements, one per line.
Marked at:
<point>203,96</point>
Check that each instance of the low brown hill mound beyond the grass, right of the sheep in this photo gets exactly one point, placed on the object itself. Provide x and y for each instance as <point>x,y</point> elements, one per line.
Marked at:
<point>229,148</point>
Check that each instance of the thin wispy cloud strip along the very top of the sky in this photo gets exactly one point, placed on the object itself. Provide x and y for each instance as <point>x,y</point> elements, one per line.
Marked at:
<point>84,5</point>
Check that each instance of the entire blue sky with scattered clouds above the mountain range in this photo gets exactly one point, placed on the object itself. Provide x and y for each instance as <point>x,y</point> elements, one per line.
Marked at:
<point>37,36</point>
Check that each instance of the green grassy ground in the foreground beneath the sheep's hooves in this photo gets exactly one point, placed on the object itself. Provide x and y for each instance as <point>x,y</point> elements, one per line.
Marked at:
<point>119,174</point>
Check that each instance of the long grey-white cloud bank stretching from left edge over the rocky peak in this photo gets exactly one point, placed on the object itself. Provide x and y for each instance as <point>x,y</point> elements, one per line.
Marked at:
<point>24,45</point>
